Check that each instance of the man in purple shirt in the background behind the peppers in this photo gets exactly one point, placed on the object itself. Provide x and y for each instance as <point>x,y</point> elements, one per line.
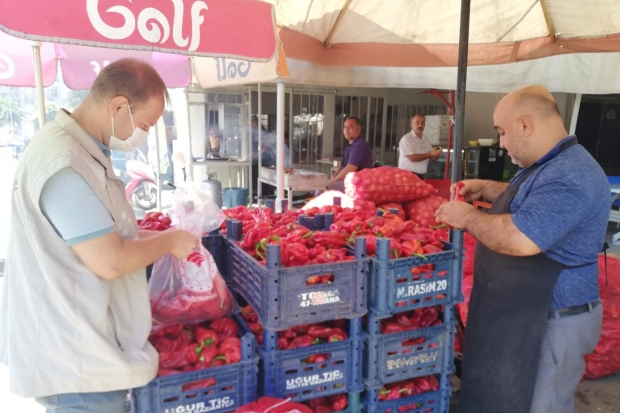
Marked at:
<point>357,155</point>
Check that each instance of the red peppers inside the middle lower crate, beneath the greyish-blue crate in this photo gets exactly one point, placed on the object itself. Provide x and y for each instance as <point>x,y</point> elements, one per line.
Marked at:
<point>300,336</point>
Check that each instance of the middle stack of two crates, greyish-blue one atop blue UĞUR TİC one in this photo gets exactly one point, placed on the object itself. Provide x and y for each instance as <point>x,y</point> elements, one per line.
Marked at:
<point>284,300</point>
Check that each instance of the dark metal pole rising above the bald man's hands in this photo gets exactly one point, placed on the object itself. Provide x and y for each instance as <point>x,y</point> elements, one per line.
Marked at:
<point>461,84</point>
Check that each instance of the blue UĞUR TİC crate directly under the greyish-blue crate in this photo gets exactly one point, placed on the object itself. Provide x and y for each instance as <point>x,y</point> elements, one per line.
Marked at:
<point>284,373</point>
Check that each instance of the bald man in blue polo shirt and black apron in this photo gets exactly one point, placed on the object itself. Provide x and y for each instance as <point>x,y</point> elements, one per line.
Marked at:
<point>535,310</point>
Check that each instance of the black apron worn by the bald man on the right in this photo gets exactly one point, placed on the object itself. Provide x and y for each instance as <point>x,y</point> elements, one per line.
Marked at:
<point>507,319</point>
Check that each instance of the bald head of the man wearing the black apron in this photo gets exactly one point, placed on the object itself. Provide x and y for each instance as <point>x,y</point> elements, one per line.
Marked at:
<point>529,124</point>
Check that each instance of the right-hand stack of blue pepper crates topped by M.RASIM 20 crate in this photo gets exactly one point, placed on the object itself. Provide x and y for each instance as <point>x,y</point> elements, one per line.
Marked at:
<point>407,369</point>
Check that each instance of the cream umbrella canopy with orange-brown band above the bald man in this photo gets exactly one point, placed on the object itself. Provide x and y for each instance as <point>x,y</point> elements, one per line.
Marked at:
<point>418,33</point>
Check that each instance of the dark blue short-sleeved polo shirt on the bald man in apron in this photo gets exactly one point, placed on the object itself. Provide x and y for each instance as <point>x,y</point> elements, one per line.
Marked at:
<point>563,207</point>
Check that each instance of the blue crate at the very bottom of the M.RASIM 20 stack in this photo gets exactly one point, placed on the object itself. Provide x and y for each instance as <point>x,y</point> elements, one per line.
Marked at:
<point>431,402</point>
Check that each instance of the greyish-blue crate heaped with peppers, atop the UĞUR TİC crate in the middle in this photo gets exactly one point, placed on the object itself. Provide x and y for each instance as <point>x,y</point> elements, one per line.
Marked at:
<point>281,297</point>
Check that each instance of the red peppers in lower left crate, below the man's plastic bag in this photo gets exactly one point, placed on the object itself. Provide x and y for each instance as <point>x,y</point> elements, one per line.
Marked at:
<point>184,348</point>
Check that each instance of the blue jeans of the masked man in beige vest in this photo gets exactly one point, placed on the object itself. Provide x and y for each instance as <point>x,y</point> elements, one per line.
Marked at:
<point>108,402</point>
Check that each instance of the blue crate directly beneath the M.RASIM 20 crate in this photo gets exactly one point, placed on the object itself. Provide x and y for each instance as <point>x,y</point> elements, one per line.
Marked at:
<point>393,357</point>
